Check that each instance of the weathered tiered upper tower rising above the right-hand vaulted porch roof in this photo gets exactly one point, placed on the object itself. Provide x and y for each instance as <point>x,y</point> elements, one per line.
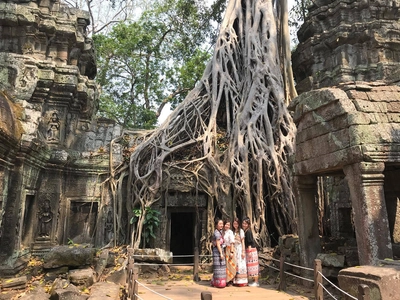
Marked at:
<point>343,40</point>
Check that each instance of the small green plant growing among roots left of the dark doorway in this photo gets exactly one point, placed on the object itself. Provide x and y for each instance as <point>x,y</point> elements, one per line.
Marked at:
<point>150,223</point>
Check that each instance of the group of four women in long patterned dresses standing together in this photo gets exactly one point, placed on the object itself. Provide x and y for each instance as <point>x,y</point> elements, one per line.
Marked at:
<point>235,257</point>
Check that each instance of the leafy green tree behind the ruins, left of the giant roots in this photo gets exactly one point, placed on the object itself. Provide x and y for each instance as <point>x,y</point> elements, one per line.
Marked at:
<point>143,63</point>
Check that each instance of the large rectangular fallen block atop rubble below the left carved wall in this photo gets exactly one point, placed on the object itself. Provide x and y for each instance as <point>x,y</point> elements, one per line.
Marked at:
<point>72,256</point>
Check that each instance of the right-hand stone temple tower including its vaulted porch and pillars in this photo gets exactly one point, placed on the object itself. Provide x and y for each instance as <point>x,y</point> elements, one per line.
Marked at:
<point>346,69</point>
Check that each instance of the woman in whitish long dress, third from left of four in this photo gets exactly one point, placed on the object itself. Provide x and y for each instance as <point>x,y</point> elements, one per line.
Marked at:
<point>241,268</point>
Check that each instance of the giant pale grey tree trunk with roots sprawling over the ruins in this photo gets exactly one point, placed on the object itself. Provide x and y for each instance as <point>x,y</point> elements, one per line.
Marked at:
<point>237,119</point>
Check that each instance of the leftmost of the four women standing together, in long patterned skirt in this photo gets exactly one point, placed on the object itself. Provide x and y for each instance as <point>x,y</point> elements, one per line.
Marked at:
<point>219,265</point>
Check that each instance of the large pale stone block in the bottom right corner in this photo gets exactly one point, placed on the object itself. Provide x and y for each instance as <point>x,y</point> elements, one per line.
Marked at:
<point>383,281</point>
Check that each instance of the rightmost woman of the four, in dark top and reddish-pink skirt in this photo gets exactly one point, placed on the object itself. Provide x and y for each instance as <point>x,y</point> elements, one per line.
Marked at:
<point>251,253</point>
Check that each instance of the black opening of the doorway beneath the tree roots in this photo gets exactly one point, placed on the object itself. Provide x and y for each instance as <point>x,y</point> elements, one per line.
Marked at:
<point>182,237</point>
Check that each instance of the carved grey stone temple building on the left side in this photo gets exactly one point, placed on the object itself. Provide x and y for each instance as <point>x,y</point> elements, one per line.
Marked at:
<point>53,155</point>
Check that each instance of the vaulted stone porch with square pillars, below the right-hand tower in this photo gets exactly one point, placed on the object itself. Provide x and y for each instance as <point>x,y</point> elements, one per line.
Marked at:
<point>354,130</point>
